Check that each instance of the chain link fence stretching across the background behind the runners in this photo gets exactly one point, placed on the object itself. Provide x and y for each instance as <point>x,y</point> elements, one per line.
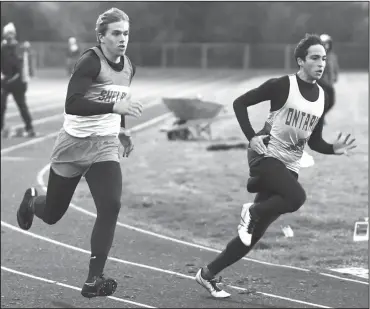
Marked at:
<point>208,55</point>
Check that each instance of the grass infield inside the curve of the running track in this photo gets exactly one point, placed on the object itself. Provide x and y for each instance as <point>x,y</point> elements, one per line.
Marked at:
<point>182,190</point>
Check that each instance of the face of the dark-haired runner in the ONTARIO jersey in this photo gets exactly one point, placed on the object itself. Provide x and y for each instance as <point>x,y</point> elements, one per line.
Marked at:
<point>314,64</point>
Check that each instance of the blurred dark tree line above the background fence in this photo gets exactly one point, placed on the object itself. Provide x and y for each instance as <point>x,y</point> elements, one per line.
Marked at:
<point>157,22</point>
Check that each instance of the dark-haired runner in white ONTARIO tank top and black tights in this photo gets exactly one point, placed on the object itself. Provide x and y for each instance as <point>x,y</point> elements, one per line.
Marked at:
<point>296,117</point>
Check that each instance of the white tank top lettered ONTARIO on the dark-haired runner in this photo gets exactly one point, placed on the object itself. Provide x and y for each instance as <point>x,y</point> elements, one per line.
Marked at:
<point>292,126</point>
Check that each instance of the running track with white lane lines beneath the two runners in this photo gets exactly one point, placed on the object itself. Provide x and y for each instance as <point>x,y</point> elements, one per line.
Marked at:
<point>47,266</point>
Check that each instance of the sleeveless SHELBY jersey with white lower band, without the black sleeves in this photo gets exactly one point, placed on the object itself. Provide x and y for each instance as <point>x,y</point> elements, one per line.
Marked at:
<point>110,86</point>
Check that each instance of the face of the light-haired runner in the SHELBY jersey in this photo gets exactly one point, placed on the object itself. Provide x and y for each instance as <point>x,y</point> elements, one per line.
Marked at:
<point>115,39</point>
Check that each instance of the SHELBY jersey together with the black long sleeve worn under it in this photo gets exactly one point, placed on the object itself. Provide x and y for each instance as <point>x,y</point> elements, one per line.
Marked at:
<point>95,85</point>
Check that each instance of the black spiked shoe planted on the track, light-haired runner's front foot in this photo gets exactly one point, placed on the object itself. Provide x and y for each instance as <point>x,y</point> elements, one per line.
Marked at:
<point>99,287</point>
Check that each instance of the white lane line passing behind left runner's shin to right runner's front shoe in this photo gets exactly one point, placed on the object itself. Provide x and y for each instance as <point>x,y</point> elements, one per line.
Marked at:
<point>170,272</point>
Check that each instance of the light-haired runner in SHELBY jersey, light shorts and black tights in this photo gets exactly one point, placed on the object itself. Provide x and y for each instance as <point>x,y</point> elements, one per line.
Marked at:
<point>97,100</point>
